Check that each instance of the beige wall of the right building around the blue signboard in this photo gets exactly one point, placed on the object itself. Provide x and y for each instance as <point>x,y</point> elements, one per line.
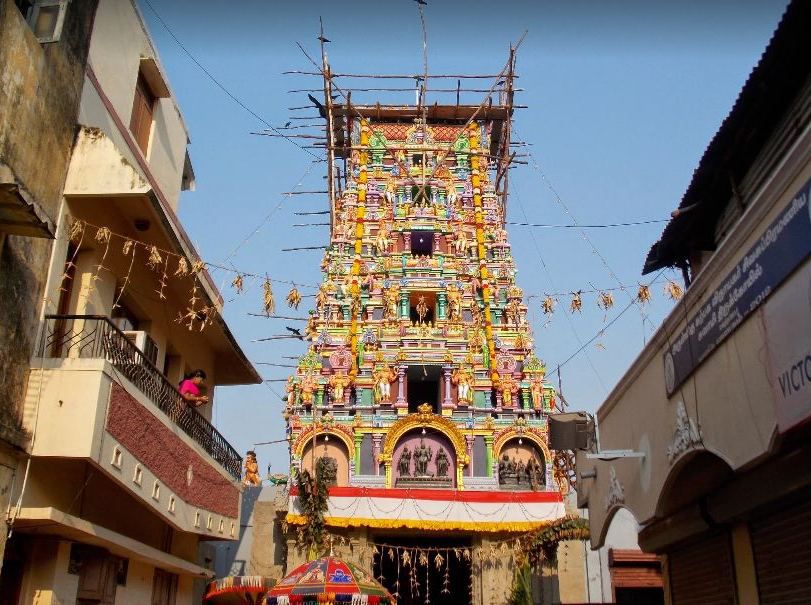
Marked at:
<point>729,397</point>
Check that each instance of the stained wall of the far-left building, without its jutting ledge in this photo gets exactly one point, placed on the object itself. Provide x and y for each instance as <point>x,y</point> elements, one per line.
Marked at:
<point>40,88</point>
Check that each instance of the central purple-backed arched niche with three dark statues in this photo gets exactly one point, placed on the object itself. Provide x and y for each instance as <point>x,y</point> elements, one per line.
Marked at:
<point>430,449</point>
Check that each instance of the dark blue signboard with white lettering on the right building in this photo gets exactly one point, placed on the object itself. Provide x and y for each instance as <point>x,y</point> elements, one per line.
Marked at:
<point>784,245</point>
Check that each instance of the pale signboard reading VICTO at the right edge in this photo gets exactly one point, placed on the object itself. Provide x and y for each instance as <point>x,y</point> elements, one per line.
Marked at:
<point>787,317</point>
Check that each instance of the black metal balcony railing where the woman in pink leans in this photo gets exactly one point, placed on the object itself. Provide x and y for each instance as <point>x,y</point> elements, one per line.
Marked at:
<point>96,337</point>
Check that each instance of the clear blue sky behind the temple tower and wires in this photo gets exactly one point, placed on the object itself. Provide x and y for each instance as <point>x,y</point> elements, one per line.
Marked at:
<point>623,99</point>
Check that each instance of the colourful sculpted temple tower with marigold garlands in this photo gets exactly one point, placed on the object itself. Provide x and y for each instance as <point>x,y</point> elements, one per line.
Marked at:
<point>420,396</point>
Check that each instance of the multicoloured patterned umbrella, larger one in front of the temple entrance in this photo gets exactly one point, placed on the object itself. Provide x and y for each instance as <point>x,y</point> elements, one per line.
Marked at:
<point>329,581</point>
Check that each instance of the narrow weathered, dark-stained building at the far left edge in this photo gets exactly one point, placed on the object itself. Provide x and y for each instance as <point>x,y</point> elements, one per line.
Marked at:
<point>41,75</point>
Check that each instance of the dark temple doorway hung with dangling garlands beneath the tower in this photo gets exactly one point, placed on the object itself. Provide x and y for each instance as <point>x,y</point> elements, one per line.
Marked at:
<point>416,583</point>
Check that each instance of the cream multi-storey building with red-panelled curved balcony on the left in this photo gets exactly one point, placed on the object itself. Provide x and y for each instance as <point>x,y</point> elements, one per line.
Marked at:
<point>124,482</point>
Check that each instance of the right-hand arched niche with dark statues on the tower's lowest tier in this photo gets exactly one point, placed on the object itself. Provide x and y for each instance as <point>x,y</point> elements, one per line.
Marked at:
<point>522,464</point>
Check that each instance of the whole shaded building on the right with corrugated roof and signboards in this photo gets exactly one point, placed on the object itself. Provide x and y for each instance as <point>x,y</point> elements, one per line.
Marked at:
<point>719,401</point>
